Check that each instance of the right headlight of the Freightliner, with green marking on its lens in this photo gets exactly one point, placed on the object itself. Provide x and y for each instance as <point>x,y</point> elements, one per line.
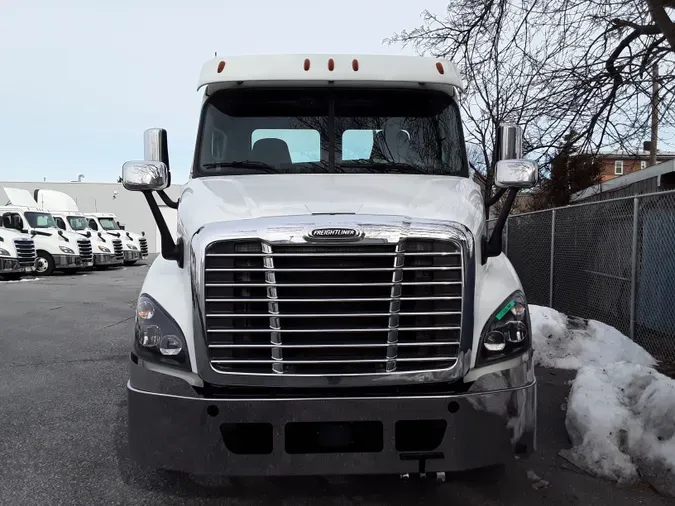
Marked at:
<point>507,332</point>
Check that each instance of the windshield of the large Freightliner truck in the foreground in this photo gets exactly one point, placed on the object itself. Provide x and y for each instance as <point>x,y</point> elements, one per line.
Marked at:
<point>320,130</point>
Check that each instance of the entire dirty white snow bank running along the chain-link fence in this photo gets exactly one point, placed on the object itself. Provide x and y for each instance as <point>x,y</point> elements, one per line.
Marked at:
<point>621,411</point>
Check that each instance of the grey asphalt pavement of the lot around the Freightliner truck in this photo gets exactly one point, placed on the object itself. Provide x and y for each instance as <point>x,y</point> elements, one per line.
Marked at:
<point>64,348</point>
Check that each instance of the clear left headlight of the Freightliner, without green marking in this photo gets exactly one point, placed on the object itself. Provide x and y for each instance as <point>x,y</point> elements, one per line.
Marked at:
<point>157,336</point>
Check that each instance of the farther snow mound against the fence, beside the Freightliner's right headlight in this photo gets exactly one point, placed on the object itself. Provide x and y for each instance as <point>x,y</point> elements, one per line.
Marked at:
<point>564,342</point>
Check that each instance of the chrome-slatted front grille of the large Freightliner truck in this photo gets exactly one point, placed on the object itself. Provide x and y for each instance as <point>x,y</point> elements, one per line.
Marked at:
<point>333,309</point>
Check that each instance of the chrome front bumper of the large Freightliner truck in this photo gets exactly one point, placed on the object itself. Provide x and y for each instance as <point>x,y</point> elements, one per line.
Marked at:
<point>172,427</point>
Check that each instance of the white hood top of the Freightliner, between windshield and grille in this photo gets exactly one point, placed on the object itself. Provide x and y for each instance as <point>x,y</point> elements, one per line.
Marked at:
<point>226,198</point>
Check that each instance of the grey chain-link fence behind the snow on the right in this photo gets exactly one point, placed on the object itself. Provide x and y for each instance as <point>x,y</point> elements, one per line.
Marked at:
<point>612,261</point>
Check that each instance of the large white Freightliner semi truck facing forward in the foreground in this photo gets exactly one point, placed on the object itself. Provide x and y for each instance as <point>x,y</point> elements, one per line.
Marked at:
<point>333,302</point>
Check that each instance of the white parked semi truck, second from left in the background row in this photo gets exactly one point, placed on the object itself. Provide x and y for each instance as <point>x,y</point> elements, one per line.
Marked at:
<point>56,250</point>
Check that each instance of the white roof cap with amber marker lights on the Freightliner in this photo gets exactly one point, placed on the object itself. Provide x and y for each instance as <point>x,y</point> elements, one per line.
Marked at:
<point>322,69</point>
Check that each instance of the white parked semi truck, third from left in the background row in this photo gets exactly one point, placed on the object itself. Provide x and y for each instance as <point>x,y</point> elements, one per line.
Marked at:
<point>108,251</point>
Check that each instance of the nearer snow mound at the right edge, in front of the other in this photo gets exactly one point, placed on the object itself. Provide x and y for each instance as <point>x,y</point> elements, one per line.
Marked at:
<point>621,420</point>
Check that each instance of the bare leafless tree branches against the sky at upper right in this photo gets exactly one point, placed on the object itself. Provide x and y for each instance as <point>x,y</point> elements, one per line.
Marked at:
<point>552,66</point>
